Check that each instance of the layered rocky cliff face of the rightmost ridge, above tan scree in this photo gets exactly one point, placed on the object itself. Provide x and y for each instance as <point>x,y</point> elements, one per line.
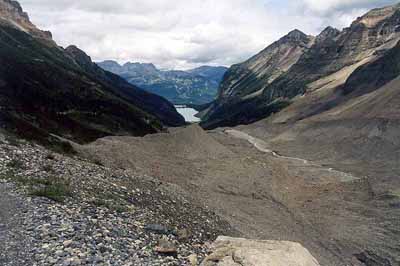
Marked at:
<point>333,51</point>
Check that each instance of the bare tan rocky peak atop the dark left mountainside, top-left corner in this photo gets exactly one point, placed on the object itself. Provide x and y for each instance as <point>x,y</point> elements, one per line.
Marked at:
<point>12,14</point>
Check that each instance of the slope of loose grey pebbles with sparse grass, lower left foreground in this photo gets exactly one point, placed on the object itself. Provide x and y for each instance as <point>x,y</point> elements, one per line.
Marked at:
<point>67,211</point>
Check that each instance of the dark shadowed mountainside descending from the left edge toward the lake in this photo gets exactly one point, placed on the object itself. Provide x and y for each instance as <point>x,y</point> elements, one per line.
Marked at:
<point>46,90</point>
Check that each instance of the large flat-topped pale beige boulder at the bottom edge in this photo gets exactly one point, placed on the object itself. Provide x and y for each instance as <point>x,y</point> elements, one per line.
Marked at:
<point>237,251</point>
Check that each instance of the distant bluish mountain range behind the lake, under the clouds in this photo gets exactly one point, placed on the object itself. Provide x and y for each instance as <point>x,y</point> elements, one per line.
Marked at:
<point>196,86</point>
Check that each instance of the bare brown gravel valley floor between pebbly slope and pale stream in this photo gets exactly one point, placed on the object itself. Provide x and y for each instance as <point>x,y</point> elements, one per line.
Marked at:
<point>264,195</point>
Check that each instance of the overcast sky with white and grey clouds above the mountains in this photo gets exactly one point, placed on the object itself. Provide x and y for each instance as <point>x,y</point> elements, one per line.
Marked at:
<point>181,34</point>
